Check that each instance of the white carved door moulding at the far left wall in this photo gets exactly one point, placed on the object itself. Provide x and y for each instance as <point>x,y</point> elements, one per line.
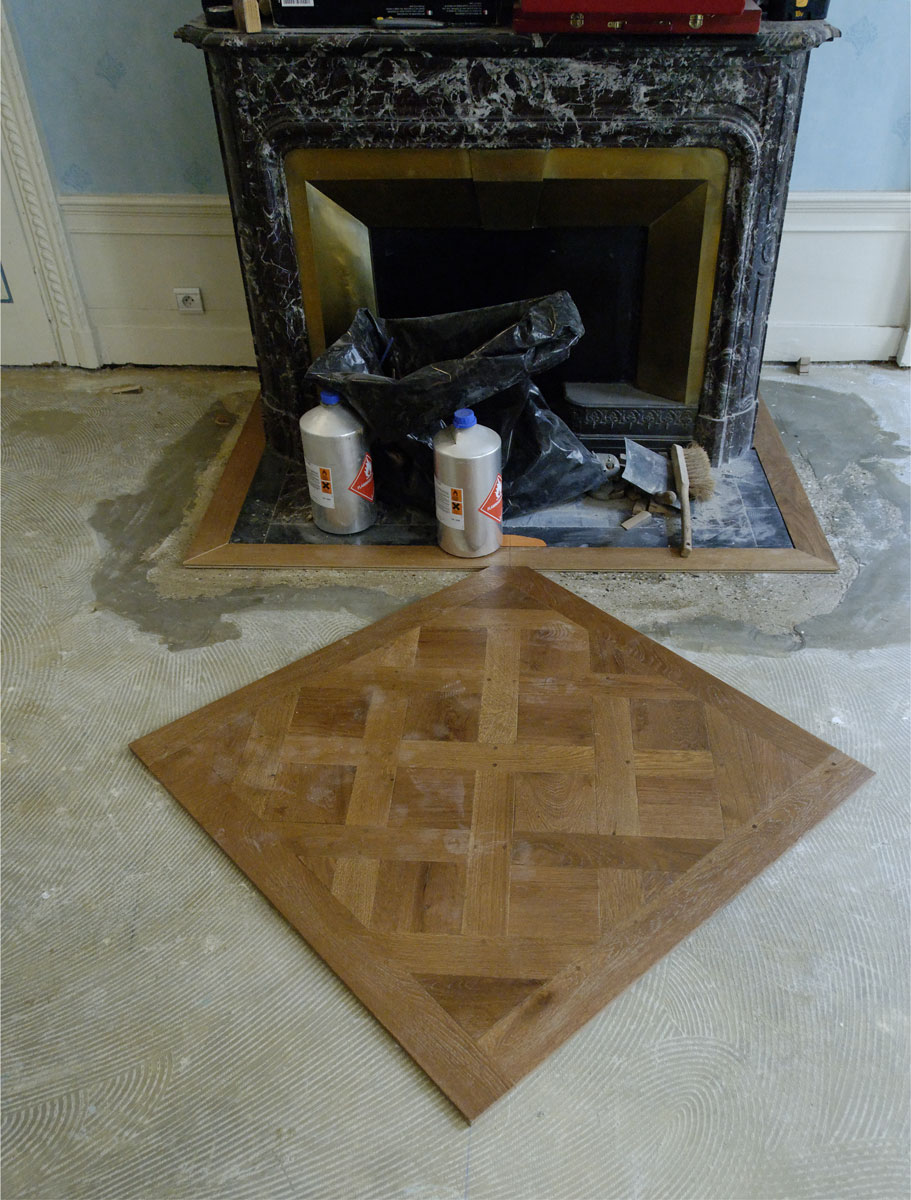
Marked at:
<point>43,226</point>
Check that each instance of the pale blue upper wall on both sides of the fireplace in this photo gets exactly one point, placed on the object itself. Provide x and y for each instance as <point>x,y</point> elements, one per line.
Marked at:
<point>125,109</point>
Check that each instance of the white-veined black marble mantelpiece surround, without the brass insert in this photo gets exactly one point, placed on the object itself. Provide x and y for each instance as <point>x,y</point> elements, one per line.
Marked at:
<point>495,89</point>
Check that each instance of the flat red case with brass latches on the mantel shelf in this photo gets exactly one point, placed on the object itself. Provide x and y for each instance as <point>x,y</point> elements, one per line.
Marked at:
<point>582,20</point>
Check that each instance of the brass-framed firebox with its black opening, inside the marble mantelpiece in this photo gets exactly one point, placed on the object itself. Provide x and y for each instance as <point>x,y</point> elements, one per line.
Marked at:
<point>632,233</point>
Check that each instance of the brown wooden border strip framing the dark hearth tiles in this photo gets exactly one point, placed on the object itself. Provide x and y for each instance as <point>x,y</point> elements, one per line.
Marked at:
<point>212,545</point>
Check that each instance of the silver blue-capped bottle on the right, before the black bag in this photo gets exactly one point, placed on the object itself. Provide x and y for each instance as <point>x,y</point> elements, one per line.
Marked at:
<point>469,487</point>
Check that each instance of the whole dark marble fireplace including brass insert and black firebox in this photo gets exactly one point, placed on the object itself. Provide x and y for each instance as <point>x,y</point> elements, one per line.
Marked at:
<point>436,171</point>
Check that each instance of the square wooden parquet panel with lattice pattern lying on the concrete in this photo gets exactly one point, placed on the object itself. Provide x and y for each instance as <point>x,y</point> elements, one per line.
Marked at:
<point>494,811</point>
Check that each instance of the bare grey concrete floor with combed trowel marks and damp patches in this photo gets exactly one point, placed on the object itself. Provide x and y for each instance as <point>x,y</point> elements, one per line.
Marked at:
<point>166,1035</point>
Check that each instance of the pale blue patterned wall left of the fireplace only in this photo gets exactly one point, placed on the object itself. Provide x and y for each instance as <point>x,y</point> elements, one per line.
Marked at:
<point>123,106</point>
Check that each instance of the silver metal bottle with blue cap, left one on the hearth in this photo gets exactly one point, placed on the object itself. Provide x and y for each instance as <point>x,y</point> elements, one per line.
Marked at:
<point>340,471</point>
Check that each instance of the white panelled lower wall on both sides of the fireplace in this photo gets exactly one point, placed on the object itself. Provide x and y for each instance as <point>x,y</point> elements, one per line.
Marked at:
<point>842,291</point>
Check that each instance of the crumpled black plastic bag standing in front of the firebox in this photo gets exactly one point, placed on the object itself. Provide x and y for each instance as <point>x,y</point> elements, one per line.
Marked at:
<point>407,376</point>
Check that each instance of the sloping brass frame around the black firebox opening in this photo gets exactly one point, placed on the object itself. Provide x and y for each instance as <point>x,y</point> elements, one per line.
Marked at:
<point>678,195</point>
